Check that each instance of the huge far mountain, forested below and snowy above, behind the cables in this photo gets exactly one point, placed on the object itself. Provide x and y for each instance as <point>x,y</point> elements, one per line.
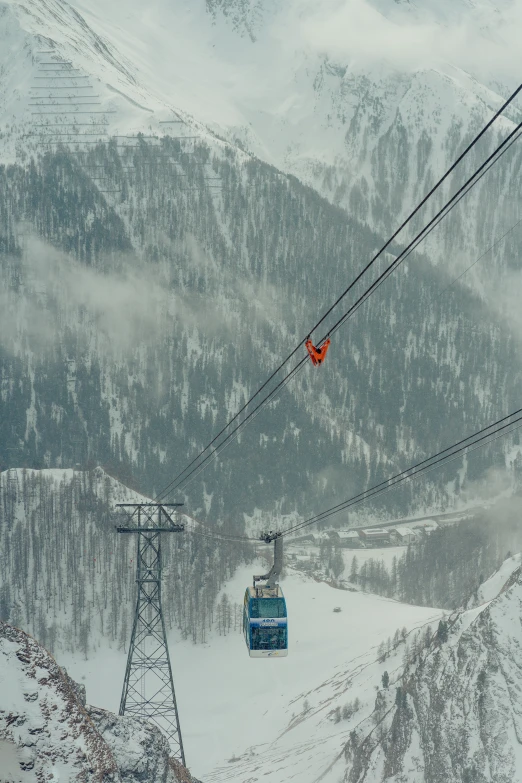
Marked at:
<point>235,257</point>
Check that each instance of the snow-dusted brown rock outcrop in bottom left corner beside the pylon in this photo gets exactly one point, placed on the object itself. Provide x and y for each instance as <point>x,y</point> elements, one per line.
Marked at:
<point>47,730</point>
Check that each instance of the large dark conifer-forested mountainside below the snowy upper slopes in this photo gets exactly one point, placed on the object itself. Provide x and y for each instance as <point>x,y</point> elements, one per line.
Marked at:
<point>143,302</point>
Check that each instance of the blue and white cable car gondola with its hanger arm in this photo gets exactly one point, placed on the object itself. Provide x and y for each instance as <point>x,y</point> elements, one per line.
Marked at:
<point>265,621</point>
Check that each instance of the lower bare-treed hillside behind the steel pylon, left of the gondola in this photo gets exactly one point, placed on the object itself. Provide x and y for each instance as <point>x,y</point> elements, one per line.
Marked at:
<point>69,578</point>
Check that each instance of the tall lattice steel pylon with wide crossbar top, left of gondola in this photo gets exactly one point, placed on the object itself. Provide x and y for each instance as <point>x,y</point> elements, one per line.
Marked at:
<point>148,687</point>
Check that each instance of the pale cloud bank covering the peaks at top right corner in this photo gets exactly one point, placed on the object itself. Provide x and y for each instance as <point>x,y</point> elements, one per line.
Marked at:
<point>485,41</point>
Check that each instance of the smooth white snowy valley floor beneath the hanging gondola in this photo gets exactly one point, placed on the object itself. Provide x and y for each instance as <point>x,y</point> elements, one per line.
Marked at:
<point>229,702</point>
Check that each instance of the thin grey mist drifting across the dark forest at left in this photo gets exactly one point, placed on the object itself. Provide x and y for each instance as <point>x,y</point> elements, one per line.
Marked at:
<point>125,304</point>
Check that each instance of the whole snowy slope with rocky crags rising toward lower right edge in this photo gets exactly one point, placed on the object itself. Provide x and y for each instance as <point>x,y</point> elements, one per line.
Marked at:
<point>439,704</point>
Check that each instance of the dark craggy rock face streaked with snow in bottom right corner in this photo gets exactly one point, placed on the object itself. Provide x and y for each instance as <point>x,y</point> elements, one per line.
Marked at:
<point>456,715</point>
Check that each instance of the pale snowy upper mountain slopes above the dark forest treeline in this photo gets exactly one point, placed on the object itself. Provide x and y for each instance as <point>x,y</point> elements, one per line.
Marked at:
<point>338,93</point>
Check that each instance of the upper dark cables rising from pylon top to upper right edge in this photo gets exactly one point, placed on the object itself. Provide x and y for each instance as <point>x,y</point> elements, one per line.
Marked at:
<point>181,477</point>
